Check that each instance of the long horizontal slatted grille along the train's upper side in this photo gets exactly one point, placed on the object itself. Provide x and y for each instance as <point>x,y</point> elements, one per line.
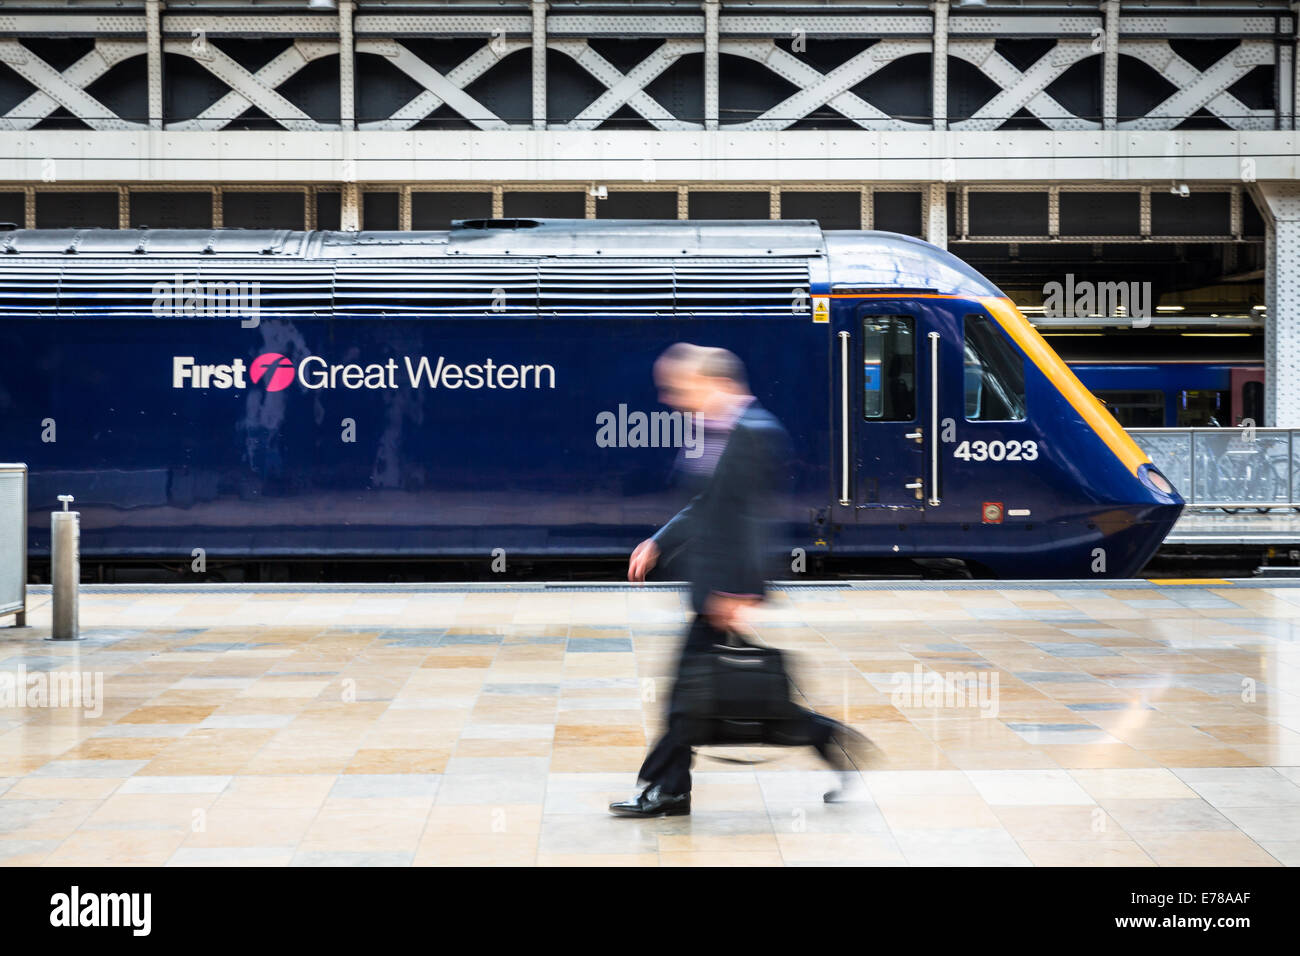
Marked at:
<point>119,287</point>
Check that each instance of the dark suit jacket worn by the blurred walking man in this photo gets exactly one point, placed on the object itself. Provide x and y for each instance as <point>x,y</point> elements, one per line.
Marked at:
<point>723,531</point>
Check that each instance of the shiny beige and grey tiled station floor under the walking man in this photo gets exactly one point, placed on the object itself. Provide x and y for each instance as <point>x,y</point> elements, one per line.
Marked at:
<point>1132,726</point>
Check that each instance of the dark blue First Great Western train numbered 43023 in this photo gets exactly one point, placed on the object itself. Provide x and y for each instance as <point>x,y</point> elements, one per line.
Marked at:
<point>287,395</point>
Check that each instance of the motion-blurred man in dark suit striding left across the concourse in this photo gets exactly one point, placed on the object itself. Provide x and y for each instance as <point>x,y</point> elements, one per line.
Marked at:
<point>722,538</point>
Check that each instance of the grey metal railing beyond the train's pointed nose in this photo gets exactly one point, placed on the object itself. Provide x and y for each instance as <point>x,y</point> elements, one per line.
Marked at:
<point>1228,468</point>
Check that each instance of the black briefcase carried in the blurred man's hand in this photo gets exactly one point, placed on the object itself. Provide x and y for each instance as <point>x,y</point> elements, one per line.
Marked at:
<point>736,694</point>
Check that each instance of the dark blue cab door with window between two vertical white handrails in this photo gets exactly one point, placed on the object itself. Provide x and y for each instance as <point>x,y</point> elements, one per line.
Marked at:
<point>883,380</point>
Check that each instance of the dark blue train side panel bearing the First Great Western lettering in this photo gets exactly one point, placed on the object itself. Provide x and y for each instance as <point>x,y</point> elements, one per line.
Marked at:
<point>385,469</point>
